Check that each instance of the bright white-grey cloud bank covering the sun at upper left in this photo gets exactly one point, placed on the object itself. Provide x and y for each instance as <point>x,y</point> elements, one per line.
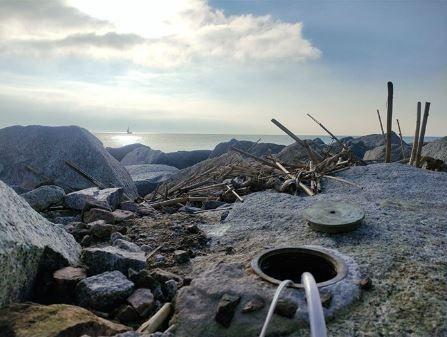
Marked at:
<point>146,33</point>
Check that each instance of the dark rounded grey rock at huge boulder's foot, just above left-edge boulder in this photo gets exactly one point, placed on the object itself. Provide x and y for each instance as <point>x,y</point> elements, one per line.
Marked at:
<point>43,197</point>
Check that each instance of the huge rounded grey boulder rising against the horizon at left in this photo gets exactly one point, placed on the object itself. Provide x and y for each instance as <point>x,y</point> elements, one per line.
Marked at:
<point>32,155</point>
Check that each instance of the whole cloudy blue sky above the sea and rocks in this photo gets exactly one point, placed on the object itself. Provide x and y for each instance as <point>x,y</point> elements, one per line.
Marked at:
<point>197,66</point>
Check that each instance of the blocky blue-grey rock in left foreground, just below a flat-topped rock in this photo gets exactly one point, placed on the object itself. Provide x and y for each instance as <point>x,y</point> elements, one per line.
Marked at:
<point>104,291</point>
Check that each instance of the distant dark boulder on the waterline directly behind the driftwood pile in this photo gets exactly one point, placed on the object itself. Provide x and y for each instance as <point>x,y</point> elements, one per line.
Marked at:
<point>259,149</point>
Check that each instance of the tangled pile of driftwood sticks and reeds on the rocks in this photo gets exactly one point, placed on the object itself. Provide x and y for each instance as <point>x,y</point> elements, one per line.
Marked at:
<point>232,180</point>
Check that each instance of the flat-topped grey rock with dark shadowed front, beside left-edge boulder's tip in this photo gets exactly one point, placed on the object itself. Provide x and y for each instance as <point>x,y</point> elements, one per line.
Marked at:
<point>101,259</point>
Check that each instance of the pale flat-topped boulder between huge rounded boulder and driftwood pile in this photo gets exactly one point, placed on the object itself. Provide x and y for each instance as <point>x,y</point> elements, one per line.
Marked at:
<point>148,177</point>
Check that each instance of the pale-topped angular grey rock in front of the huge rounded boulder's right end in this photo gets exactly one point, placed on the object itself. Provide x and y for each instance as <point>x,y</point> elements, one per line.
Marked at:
<point>108,198</point>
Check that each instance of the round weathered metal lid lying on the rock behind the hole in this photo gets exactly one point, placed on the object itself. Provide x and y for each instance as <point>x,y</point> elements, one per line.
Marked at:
<point>334,216</point>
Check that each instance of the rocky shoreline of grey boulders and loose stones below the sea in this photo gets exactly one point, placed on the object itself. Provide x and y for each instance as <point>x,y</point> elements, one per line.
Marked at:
<point>85,252</point>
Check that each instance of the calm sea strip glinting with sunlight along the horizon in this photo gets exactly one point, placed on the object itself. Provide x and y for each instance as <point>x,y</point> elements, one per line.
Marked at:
<point>170,142</point>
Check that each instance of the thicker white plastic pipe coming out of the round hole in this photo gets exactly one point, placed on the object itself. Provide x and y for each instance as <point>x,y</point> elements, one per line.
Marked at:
<point>314,306</point>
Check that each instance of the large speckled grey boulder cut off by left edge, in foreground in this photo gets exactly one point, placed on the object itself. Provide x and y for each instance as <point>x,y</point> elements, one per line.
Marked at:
<point>29,244</point>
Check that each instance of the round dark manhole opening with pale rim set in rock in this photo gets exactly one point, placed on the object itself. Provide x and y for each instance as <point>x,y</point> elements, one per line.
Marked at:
<point>290,263</point>
